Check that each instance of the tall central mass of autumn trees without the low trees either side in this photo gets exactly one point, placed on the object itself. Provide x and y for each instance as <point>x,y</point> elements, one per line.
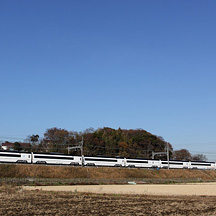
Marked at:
<point>105,141</point>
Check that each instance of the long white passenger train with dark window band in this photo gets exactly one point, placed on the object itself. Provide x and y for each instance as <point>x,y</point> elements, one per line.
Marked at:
<point>62,159</point>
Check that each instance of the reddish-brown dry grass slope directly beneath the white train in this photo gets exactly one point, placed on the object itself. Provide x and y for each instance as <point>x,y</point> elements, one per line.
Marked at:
<point>39,171</point>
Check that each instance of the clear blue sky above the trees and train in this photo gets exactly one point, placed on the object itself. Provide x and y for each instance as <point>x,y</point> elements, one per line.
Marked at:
<point>130,64</point>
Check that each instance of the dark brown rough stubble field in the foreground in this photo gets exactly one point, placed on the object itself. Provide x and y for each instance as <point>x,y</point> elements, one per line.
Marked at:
<point>16,201</point>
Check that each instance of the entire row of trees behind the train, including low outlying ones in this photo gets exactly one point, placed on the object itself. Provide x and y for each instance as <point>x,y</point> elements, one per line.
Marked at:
<point>136,143</point>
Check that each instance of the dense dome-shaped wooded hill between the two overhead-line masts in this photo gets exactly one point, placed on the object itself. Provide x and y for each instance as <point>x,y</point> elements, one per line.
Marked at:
<point>122,143</point>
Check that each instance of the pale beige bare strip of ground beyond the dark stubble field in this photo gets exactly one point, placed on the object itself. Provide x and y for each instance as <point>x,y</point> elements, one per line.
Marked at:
<point>196,189</point>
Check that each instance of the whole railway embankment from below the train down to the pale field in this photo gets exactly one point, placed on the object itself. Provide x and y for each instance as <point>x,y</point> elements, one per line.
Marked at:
<point>100,175</point>
